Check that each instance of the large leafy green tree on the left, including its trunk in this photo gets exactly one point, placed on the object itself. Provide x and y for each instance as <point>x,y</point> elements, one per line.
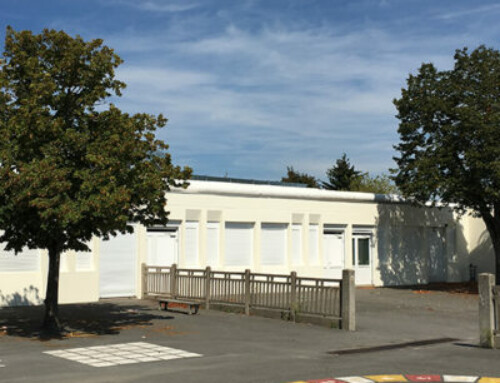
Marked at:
<point>71,165</point>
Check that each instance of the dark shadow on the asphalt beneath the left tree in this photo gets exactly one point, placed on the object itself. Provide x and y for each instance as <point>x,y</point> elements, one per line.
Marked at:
<point>79,320</point>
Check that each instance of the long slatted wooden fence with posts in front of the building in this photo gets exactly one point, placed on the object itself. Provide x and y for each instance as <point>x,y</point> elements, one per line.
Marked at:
<point>307,297</point>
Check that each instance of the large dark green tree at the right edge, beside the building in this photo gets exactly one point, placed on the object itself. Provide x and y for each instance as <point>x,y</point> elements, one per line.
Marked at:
<point>449,129</point>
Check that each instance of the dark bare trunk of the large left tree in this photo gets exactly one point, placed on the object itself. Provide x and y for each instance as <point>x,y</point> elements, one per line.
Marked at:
<point>51,321</point>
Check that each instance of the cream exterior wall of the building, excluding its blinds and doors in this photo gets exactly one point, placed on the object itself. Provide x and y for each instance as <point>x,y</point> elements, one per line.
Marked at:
<point>401,235</point>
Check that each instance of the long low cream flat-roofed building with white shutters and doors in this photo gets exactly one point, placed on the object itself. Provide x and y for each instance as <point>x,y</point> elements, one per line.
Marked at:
<point>266,228</point>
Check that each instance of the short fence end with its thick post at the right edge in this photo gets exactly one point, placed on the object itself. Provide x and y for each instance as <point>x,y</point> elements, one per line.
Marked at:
<point>489,311</point>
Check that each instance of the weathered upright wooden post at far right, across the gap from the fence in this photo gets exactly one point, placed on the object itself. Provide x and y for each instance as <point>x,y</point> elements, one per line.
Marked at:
<point>486,311</point>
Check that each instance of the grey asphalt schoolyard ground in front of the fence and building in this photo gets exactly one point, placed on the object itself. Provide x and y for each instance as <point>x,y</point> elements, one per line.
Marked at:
<point>224,347</point>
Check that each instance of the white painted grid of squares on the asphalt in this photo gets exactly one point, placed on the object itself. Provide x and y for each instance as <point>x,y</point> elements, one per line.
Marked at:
<point>118,354</point>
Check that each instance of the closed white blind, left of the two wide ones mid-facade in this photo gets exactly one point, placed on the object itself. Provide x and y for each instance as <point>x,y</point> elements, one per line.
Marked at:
<point>238,243</point>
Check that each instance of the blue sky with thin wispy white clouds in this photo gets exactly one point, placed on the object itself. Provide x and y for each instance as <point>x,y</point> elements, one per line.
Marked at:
<point>252,86</point>
